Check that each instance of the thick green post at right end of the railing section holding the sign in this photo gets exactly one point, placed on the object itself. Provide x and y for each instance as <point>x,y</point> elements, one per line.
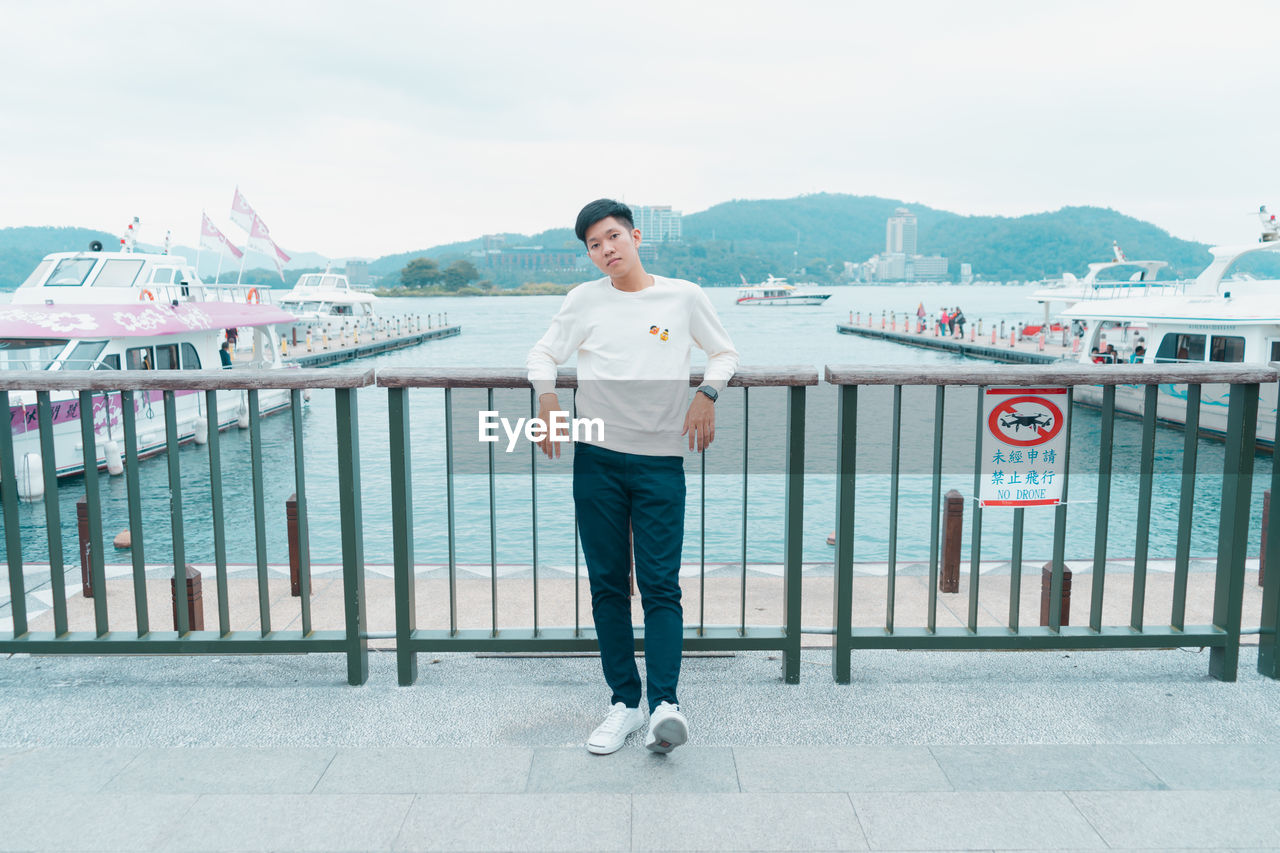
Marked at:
<point>1233,532</point>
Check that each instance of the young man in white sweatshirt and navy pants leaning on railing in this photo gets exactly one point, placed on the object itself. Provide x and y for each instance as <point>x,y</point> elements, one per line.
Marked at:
<point>633,334</point>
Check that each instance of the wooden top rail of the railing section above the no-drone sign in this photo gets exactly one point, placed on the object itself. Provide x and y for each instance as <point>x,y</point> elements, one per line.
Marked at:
<point>1055,375</point>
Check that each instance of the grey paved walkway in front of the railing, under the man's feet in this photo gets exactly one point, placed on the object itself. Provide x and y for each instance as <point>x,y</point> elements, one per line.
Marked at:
<point>925,751</point>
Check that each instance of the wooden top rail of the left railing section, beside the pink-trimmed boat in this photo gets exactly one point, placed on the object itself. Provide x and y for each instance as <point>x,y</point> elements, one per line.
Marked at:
<point>184,380</point>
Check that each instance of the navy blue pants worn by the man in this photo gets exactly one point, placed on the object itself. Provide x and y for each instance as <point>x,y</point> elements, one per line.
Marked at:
<point>612,492</point>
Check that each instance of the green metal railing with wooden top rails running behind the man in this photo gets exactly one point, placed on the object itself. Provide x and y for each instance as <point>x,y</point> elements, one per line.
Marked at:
<point>1222,635</point>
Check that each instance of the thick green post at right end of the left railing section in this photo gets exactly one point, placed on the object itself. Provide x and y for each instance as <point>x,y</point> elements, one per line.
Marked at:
<point>353,536</point>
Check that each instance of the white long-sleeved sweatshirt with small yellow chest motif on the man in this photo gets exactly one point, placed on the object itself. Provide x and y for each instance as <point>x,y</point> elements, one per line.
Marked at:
<point>633,359</point>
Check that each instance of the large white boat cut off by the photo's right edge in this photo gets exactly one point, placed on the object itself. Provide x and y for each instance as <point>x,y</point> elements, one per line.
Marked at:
<point>1212,320</point>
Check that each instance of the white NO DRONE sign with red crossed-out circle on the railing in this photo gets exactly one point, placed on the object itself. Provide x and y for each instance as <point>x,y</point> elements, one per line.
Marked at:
<point>1023,446</point>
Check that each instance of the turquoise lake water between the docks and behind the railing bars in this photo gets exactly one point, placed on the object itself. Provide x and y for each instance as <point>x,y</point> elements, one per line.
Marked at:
<point>499,332</point>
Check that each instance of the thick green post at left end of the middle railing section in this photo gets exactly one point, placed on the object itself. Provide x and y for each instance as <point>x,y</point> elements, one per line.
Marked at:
<point>403,536</point>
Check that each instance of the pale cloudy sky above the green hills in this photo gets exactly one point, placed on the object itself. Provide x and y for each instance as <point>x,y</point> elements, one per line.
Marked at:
<point>362,130</point>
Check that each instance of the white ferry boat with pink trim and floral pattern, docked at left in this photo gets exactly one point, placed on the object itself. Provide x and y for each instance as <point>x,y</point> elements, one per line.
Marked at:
<point>127,311</point>
